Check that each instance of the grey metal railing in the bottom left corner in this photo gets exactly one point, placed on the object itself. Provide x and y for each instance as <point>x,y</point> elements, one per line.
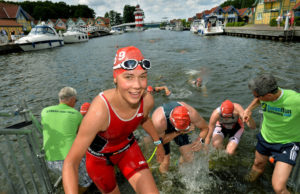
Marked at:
<point>22,165</point>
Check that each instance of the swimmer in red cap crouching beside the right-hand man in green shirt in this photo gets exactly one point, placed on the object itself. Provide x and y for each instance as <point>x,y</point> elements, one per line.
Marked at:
<point>226,120</point>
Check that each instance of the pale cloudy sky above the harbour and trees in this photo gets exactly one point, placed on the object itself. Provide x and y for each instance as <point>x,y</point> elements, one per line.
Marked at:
<point>154,10</point>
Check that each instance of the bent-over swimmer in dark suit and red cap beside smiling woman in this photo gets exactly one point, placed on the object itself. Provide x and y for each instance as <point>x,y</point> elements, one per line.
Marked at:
<point>173,121</point>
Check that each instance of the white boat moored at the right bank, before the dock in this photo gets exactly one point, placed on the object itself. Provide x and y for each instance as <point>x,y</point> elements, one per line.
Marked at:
<point>210,26</point>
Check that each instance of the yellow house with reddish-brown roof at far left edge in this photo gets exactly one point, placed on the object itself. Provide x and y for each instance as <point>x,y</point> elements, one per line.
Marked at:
<point>14,18</point>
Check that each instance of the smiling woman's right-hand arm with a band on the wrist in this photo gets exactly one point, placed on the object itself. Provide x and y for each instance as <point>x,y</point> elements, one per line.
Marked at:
<point>149,127</point>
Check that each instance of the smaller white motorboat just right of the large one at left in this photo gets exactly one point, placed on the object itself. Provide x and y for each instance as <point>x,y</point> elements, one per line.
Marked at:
<point>74,35</point>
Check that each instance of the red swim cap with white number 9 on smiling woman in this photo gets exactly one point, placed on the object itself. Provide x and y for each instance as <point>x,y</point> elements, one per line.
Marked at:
<point>124,54</point>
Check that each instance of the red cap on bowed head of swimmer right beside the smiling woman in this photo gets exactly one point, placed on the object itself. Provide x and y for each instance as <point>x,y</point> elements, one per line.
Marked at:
<point>180,118</point>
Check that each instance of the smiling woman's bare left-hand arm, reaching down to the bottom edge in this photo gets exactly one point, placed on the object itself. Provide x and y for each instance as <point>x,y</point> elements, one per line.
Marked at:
<point>94,121</point>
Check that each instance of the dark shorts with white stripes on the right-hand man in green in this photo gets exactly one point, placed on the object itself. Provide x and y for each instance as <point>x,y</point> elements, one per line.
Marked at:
<point>286,153</point>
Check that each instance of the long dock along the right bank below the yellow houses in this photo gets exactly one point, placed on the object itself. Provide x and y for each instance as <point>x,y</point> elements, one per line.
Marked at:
<point>264,32</point>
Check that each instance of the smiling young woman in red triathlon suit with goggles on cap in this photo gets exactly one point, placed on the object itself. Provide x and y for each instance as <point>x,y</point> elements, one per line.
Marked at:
<point>106,132</point>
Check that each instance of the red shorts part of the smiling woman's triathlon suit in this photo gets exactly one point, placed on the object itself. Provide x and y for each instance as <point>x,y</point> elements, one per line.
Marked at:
<point>102,173</point>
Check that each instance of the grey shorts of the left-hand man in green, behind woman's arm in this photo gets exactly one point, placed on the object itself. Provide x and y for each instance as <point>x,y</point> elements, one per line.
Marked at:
<point>83,178</point>
